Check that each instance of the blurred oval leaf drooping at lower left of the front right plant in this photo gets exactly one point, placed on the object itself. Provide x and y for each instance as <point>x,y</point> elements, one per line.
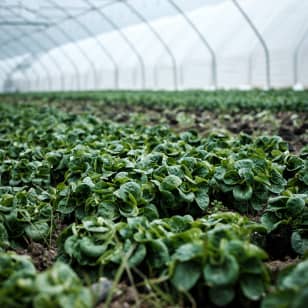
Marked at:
<point>186,275</point>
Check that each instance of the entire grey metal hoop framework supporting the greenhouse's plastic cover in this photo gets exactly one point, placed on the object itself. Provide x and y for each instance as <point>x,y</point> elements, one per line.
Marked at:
<point>92,6</point>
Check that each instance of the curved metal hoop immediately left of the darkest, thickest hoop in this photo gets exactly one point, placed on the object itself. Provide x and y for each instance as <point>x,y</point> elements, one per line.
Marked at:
<point>203,40</point>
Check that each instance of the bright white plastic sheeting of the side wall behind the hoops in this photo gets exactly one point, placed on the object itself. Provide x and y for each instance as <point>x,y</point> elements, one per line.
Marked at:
<point>186,63</point>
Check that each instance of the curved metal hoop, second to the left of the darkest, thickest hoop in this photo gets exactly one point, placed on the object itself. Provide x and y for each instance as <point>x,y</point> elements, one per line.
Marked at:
<point>159,37</point>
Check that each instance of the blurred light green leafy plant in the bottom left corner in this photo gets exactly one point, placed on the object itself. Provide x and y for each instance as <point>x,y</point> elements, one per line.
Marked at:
<point>22,286</point>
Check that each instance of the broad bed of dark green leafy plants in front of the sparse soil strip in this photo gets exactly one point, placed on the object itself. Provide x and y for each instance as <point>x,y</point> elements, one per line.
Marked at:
<point>151,203</point>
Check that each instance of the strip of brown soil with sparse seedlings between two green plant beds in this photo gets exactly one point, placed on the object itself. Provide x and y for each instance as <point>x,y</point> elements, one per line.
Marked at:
<point>291,126</point>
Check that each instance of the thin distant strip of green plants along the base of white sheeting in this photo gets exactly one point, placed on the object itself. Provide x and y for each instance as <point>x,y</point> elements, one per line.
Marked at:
<point>284,99</point>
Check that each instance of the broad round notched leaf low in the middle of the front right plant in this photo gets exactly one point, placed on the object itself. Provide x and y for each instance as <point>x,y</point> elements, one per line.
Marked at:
<point>221,273</point>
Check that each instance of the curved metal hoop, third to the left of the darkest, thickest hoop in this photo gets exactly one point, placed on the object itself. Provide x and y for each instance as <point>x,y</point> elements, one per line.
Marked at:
<point>125,38</point>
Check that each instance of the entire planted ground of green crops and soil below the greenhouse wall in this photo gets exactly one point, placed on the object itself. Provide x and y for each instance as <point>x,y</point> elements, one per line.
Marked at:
<point>165,205</point>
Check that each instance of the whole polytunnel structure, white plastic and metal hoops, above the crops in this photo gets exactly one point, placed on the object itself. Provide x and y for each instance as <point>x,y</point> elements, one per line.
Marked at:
<point>159,44</point>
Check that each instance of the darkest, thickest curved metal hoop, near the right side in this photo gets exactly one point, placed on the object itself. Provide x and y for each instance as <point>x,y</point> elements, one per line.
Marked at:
<point>261,40</point>
